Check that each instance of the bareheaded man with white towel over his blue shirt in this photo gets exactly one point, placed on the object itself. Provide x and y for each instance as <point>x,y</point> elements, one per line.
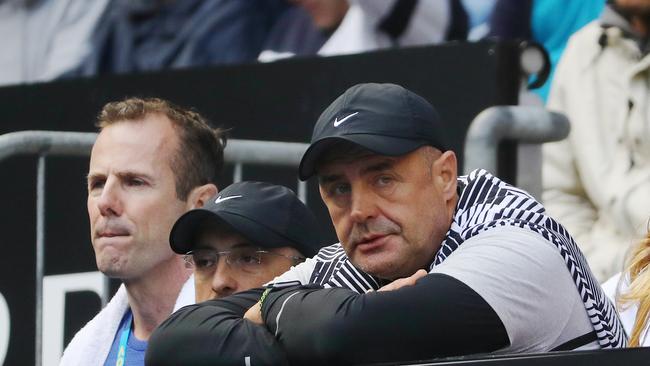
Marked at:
<point>152,162</point>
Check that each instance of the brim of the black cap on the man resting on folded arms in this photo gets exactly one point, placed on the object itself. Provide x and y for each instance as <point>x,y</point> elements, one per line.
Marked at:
<point>379,144</point>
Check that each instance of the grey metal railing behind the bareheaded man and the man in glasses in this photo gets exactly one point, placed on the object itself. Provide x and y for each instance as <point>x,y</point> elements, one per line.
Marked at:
<point>56,143</point>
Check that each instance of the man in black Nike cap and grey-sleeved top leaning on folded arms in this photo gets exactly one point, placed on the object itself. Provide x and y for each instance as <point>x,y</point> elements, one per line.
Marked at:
<point>429,264</point>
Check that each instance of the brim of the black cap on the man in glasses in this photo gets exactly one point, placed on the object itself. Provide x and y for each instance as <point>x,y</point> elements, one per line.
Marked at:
<point>183,234</point>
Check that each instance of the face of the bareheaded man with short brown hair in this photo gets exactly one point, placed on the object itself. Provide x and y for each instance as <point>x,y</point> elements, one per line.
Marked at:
<point>132,201</point>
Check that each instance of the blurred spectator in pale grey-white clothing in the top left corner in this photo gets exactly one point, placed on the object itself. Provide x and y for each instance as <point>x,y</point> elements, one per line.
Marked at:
<point>43,39</point>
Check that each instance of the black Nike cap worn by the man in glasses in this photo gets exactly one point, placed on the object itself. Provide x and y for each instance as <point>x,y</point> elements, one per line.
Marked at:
<point>268,215</point>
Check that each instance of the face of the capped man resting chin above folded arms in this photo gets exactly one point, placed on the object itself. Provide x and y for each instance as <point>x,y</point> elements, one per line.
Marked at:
<point>390,213</point>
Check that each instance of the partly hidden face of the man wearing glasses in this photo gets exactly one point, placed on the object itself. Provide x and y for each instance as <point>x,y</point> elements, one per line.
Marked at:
<point>215,277</point>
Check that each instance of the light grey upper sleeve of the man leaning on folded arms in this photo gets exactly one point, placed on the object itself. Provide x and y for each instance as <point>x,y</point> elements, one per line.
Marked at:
<point>525,280</point>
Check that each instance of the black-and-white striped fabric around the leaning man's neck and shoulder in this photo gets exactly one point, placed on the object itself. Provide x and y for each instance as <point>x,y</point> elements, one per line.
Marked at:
<point>486,202</point>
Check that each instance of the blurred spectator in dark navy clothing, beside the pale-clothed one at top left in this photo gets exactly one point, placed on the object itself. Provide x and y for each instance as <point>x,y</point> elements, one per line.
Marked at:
<point>149,35</point>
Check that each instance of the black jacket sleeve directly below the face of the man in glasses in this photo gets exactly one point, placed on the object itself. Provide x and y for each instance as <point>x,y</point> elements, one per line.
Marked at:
<point>214,333</point>
